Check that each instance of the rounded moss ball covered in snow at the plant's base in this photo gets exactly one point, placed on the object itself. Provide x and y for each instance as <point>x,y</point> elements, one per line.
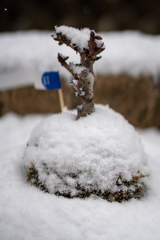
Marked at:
<point>97,155</point>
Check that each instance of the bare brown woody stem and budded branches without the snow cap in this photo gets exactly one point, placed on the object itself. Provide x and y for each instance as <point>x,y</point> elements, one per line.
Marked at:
<point>84,77</point>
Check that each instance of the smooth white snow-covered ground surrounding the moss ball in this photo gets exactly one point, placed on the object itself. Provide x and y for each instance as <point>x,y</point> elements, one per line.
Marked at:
<point>28,213</point>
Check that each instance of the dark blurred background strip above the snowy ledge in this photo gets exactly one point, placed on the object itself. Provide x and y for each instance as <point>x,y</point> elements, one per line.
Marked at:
<point>100,15</point>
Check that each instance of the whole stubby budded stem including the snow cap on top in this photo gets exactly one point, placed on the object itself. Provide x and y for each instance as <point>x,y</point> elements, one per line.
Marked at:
<point>89,45</point>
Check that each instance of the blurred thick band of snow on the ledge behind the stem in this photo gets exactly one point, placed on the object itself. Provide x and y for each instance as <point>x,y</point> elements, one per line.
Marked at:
<point>36,52</point>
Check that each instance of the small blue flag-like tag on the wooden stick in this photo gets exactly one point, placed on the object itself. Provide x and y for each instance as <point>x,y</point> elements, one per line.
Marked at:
<point>51,80</point>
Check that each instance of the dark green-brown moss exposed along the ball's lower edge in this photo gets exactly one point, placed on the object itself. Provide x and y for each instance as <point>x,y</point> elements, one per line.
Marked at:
<point>118,196</point>
